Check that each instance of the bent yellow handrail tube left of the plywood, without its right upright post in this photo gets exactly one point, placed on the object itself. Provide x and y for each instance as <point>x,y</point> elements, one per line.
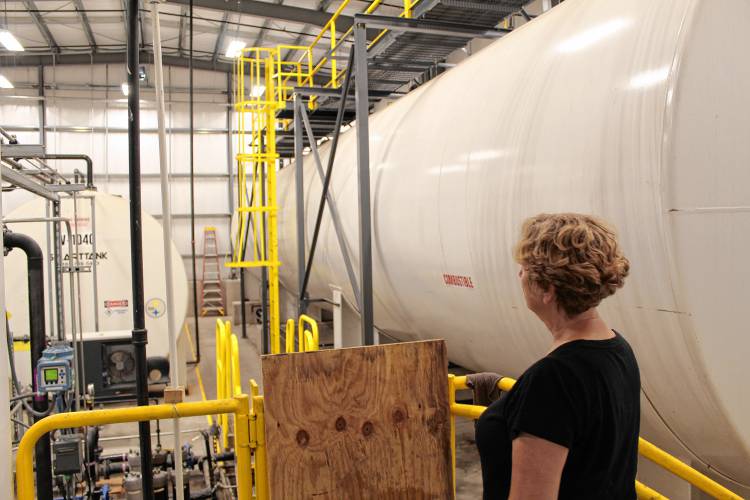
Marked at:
<point>25,454</point>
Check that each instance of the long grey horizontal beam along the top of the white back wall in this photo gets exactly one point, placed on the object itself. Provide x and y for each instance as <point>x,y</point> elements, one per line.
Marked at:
<point>146,57</point>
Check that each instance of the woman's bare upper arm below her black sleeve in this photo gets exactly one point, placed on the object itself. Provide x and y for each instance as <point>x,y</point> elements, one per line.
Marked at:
<point>537,467</point>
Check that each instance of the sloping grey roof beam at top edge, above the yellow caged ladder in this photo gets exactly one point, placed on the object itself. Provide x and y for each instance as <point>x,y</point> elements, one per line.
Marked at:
<point>258,8</point>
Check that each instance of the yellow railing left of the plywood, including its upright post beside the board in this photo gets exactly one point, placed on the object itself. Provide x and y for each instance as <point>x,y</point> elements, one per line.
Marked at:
<point>238,405</point>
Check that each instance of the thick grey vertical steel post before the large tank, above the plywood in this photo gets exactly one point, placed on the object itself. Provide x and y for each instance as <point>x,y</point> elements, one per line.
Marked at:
<point>363,176</point>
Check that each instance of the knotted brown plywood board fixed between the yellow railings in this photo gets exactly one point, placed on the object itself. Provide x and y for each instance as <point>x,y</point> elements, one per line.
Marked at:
<point>359,423</point>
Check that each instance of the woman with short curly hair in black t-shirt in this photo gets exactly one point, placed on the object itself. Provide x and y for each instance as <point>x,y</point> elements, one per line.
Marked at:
<point>569,427</point>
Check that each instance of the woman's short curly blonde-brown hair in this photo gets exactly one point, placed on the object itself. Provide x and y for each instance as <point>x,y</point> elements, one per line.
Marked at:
<point>577,254</point>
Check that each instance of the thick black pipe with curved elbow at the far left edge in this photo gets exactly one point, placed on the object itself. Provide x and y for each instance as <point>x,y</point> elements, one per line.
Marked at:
<point>35,266</point>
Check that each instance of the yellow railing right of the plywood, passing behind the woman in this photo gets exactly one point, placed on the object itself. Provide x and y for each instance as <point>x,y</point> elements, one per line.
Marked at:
<point>646,449</point>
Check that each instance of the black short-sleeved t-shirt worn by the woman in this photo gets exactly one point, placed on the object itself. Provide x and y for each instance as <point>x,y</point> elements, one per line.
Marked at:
<point>585,396</point>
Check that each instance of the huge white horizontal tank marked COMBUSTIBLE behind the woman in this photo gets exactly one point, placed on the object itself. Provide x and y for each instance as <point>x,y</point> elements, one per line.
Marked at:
<point>637,111</point>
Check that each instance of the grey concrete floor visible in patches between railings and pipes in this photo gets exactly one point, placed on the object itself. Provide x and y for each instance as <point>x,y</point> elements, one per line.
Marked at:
<point>468,472</point>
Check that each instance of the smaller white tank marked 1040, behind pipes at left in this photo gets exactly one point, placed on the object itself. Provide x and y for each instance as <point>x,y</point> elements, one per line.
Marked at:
<point>109,230</point>
